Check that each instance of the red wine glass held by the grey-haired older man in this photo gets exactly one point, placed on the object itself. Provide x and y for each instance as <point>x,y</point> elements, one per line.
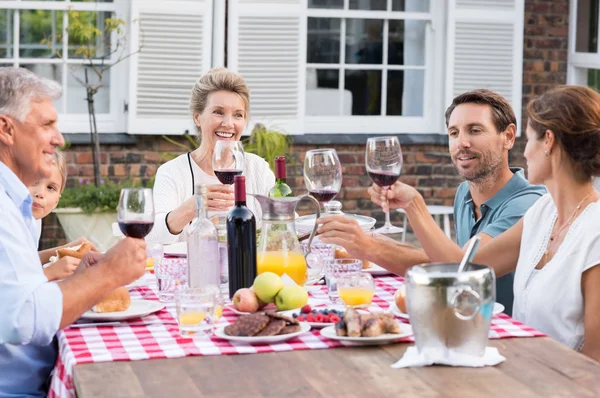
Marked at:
<point>135,213</point>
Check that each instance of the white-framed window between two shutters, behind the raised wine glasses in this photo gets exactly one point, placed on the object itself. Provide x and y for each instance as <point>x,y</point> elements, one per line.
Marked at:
<point>368,58</point>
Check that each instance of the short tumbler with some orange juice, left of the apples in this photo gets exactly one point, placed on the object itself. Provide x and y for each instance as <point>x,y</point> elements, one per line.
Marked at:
<point>195,311</point>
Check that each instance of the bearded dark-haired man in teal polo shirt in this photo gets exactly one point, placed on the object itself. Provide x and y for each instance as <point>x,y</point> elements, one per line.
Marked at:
<point>481,129</point>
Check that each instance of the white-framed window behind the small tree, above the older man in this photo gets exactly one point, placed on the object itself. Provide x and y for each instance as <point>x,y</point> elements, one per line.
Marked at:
<point>32,36</point>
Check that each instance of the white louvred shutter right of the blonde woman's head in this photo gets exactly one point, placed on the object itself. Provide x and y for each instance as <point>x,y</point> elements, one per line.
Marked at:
<point>266,44</point>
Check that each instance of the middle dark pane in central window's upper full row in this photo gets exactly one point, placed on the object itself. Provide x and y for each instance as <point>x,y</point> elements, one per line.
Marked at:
<point>364,41</point>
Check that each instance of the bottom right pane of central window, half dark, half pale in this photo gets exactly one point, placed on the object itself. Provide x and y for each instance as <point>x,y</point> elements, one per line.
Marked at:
<point>405,92</point>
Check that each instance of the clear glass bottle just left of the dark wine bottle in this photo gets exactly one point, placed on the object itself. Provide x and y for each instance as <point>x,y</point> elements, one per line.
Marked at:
<point>202,245</point>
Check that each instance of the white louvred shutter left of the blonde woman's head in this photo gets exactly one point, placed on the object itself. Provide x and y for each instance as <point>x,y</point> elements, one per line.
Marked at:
<point>176,38</point>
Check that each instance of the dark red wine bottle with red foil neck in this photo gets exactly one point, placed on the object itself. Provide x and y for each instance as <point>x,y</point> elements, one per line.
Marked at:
<point>241,240</point>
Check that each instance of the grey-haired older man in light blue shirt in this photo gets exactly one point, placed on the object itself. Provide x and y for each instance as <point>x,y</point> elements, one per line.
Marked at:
<point>32,309</point>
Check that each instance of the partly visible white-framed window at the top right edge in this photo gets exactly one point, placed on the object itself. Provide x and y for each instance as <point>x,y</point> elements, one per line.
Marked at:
<point>584,54</point>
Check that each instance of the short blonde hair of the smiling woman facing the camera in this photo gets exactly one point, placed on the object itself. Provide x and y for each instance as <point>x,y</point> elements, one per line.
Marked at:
<point>218,79</point>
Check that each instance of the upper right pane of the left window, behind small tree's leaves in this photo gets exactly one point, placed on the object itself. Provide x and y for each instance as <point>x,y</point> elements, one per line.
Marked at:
<point>79,44</point>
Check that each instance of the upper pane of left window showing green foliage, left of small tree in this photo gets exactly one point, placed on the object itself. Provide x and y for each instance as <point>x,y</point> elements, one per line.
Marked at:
<point>37,25</point>
